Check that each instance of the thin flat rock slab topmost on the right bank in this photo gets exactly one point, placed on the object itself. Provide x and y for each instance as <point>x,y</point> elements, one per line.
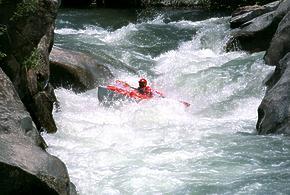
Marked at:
<point>247,13</point>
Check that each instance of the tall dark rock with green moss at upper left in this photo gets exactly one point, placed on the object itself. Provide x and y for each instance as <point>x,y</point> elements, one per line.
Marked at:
<point>26,38</point>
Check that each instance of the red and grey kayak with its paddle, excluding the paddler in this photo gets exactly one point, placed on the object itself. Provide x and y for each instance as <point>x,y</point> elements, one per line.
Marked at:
<point>123,91</point>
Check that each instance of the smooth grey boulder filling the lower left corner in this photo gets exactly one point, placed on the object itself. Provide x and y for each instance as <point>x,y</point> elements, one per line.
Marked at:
<point>25,167</point>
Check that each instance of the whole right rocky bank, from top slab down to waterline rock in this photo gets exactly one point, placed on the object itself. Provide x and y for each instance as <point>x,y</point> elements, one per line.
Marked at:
<point>267,28</point>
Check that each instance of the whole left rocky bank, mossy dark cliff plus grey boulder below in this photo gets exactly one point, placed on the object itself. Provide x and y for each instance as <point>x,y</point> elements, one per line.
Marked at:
<point>26,100</point>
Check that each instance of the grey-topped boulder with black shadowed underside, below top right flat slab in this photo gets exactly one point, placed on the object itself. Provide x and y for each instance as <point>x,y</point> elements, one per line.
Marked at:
<point>256,34</point>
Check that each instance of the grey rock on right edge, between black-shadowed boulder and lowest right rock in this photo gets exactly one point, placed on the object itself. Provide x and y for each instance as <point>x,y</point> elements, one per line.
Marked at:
<point>280,44</point>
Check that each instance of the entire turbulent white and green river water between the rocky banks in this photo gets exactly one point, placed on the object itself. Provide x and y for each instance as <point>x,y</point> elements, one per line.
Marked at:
<point>159,146</point>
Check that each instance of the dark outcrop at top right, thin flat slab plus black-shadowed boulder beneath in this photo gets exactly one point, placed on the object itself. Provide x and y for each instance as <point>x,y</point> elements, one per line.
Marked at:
<point>255,28</point>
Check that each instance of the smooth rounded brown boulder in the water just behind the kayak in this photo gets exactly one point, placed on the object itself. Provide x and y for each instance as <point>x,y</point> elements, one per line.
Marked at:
<point>71,69</point>
